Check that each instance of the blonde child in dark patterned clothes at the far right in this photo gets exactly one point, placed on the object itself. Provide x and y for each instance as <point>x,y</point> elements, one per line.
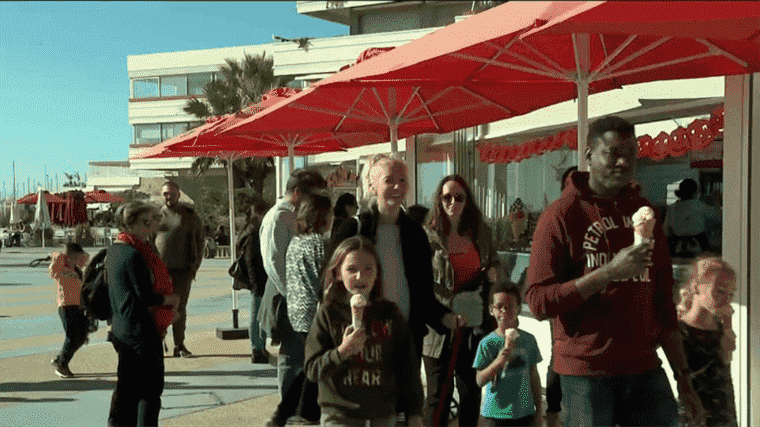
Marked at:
<point>704,314</point>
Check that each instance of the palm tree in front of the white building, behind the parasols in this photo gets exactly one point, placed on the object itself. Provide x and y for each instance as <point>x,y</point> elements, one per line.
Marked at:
<point>239,84</point>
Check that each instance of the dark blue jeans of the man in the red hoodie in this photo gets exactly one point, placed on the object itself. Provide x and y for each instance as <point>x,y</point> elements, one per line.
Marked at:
<point>644,399</point>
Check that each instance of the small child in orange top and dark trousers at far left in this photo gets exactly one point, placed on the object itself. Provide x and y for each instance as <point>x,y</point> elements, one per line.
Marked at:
<point>66,269</point>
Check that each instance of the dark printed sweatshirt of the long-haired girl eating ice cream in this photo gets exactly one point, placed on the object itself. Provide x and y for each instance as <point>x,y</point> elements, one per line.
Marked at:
<point>367,385</point>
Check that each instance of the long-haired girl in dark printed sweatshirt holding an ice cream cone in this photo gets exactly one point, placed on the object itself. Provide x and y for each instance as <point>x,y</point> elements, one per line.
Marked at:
<point>362,372</point>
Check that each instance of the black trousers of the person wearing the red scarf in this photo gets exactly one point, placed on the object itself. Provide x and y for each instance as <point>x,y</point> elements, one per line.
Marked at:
<point>136,400</point>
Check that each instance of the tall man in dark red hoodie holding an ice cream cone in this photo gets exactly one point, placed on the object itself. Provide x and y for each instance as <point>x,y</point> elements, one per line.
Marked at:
<point>611,300</point>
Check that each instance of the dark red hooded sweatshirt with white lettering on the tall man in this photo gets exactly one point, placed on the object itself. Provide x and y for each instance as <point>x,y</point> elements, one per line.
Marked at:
<point>616,331</point>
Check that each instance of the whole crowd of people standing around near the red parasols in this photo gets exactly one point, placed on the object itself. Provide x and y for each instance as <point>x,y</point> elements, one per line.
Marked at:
<point>357,315</point>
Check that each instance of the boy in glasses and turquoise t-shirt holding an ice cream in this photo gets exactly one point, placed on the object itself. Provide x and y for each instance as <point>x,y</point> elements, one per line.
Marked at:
<point>508,374</point>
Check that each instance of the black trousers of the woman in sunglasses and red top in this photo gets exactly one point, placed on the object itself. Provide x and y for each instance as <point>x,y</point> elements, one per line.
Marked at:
<point>437,405</point>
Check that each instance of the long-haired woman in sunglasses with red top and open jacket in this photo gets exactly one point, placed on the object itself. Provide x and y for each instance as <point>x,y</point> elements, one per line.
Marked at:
<point>464,262</point>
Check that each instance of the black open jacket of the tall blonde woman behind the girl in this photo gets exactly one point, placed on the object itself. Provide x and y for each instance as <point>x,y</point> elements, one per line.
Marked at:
<point>415,249</point>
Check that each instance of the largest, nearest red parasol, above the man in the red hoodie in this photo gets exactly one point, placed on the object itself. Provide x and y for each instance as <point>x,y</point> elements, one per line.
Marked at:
<point>573,48</point>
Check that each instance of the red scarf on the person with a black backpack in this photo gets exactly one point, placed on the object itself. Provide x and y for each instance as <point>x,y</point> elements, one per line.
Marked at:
<point>162,282</point>
